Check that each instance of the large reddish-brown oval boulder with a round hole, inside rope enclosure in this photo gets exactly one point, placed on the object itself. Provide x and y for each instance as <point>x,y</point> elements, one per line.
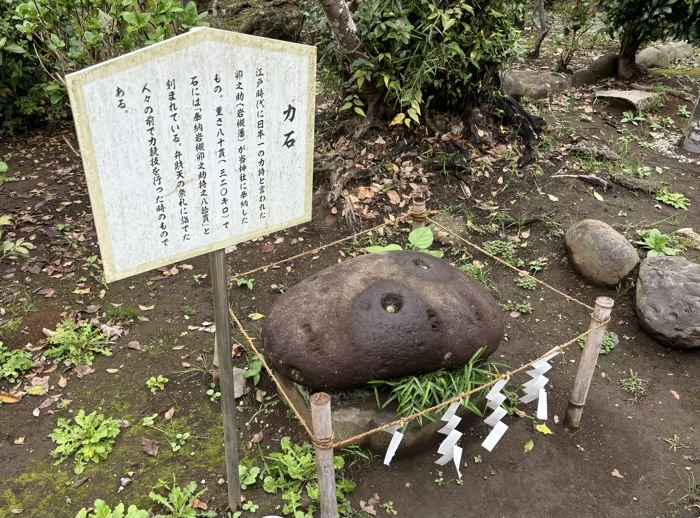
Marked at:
<point>379,316</point>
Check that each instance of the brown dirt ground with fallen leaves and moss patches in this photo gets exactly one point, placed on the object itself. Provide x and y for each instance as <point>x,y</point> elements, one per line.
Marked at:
<point>628,459</point>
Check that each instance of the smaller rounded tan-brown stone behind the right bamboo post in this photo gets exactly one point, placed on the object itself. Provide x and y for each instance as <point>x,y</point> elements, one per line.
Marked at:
<point>599,253</point>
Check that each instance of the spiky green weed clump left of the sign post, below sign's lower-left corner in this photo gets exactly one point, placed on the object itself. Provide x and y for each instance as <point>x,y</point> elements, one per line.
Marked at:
<point>77,343</point>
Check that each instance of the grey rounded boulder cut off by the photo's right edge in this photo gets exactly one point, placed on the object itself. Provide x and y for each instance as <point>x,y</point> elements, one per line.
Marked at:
<point>668,300</point>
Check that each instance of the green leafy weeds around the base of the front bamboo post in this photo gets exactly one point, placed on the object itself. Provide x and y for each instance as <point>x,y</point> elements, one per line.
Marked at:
<point>292,472</point>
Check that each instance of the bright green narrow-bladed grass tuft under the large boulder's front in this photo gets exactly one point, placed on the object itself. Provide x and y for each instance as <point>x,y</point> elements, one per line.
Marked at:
<point>416,393</point>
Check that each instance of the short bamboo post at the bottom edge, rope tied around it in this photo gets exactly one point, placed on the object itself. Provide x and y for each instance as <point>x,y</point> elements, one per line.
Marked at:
<point>323,430</point>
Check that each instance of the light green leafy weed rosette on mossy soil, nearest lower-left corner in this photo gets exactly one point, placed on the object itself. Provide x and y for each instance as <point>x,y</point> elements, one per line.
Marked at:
<point>88,437</point>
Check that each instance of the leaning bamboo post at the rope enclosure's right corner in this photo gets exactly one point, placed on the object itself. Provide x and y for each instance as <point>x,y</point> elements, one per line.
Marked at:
<point>589,358</point>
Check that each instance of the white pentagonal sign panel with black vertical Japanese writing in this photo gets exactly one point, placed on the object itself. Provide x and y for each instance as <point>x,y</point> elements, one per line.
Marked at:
<point>193,144</point>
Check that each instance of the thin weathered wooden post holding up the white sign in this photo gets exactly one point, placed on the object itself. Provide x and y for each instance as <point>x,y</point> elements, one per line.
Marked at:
<point>219,282</point>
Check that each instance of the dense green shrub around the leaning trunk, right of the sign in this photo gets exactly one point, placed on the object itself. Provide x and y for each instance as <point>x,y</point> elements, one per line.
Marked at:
<point>420,52</point>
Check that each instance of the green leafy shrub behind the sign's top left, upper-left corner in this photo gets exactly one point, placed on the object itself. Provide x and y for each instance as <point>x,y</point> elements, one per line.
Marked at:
<point>43,40</point>
